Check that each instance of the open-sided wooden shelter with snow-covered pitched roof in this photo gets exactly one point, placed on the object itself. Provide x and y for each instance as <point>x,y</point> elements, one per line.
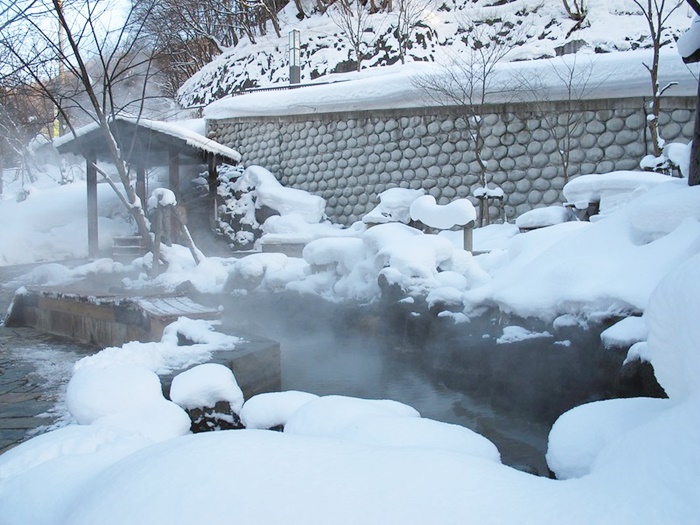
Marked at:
<point>143,144</point>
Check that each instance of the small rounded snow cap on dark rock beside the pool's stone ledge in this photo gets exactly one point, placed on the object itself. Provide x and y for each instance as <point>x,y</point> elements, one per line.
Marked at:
<point>204,385</point>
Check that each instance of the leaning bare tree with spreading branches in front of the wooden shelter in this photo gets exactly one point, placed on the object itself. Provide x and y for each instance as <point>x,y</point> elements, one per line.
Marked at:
<point>86,93</point>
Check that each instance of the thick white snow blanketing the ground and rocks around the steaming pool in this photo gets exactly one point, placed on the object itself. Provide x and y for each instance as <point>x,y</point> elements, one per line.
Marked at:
<point>131,458</point>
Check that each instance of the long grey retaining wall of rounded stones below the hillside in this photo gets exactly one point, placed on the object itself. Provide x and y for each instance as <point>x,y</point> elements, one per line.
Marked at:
<point>350,158</point>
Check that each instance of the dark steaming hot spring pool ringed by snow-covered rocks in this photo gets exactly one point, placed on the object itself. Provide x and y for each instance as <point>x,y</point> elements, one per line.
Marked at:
<point>509,393</point>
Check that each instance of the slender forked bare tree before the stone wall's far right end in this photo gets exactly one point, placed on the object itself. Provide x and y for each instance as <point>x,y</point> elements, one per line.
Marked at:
<point>656,14</point>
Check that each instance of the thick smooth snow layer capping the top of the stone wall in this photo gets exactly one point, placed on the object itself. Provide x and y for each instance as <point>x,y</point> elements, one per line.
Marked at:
<point>395,86</point>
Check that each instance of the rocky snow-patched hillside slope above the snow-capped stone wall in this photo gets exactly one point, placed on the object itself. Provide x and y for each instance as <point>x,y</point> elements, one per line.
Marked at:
<point>530,29</point>
